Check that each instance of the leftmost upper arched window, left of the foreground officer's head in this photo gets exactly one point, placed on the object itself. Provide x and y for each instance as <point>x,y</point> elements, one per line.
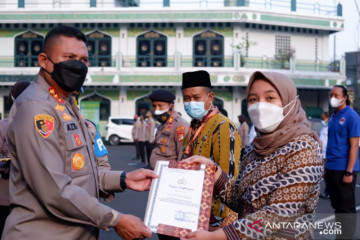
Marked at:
<point>27,47</point>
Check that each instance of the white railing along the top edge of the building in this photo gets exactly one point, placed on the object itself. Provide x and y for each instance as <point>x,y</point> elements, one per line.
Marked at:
<point>318,7</point>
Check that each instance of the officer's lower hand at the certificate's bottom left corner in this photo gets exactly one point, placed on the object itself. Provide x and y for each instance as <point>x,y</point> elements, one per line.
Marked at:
<point>131,227</point>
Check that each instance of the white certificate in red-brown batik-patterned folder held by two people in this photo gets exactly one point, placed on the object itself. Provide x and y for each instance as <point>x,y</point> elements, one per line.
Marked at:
<point>180,199</point>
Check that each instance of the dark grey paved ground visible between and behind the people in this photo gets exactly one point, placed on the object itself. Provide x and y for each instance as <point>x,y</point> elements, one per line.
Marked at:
<point>135,202</point>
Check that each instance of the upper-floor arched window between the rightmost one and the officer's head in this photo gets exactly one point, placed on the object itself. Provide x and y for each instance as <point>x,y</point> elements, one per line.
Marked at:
<point>151,50</point>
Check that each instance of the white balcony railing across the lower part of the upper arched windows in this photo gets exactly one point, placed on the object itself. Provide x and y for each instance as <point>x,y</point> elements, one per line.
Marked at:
<point>228,62</point>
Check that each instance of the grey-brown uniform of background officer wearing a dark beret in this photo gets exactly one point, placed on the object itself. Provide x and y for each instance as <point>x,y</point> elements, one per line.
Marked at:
<point>168,139</point>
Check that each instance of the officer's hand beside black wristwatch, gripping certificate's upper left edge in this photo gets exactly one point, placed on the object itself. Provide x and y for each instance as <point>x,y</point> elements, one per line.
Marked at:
<point>140,180</point>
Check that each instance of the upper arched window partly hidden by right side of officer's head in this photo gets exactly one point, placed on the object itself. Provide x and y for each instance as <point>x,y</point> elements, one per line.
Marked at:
<point>99,48</point>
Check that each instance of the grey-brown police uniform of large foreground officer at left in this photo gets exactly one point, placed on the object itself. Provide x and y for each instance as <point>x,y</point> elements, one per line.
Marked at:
<point>54,178</point>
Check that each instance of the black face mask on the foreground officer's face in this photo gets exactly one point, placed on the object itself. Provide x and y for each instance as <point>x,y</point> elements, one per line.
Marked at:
<point>69,75</point>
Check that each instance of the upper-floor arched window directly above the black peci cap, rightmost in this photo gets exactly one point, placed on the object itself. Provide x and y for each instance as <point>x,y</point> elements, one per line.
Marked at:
<point>208,50</point>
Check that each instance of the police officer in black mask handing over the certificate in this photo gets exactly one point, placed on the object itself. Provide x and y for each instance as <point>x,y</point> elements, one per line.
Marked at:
<point>54,176</point>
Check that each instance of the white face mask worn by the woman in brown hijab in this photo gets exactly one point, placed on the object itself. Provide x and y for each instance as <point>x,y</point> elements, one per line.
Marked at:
<point>266,117</point>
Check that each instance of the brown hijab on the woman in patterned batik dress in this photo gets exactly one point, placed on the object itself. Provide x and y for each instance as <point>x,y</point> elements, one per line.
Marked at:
<point>293,125</point>
